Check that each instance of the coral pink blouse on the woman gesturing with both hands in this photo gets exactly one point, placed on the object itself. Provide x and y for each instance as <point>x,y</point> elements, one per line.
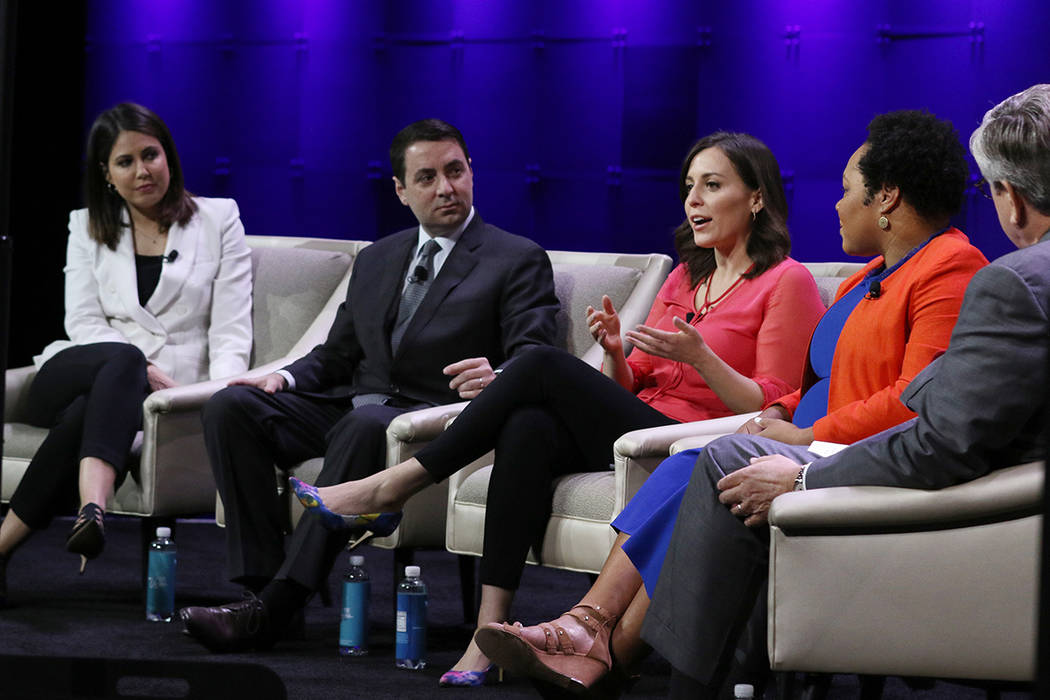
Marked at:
<point>762,330</point>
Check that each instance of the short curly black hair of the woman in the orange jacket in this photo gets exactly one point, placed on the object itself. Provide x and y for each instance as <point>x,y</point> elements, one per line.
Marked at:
<point>921,156</point>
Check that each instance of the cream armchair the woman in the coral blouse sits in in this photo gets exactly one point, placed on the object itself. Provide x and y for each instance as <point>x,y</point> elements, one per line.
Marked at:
<point>578,536</point>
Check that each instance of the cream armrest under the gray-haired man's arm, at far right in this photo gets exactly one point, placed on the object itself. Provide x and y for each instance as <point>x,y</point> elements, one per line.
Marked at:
<point>1002,495</point>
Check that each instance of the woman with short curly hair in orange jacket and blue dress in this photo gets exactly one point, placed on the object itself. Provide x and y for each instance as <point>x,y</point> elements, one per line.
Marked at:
<point>889,322</point>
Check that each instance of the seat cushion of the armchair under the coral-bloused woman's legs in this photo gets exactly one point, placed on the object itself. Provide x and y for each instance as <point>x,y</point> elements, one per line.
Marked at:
<point>585,496</point>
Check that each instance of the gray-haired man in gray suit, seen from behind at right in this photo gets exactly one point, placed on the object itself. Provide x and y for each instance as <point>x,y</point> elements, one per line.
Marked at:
<point>980,408</point>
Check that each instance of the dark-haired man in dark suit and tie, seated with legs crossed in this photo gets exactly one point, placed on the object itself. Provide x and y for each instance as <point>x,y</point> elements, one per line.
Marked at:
<point>430,313</point>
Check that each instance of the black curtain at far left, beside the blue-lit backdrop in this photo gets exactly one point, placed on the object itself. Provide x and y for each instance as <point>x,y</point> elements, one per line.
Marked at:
<point>44,99</point>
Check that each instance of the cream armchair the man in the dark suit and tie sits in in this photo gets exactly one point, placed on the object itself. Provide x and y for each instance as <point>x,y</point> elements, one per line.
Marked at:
<point>580,281</point>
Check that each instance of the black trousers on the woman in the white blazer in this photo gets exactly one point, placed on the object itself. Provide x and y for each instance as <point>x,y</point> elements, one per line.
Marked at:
<point>91,399</point>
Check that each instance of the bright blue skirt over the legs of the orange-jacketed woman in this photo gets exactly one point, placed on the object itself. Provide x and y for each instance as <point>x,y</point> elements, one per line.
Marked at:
<point>650,516</point>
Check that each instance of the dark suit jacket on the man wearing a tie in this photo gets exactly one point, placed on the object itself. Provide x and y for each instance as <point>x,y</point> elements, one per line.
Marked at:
<point>494,298</point>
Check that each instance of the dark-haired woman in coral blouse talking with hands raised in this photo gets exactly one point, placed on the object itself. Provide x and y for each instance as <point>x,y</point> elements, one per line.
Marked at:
<point>727,335</point>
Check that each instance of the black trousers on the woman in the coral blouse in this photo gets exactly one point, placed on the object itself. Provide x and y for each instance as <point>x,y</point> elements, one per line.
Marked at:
<point>548,415</point>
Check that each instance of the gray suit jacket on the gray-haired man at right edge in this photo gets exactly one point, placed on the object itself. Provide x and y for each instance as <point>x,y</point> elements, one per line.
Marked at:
<point>982,405</point>
